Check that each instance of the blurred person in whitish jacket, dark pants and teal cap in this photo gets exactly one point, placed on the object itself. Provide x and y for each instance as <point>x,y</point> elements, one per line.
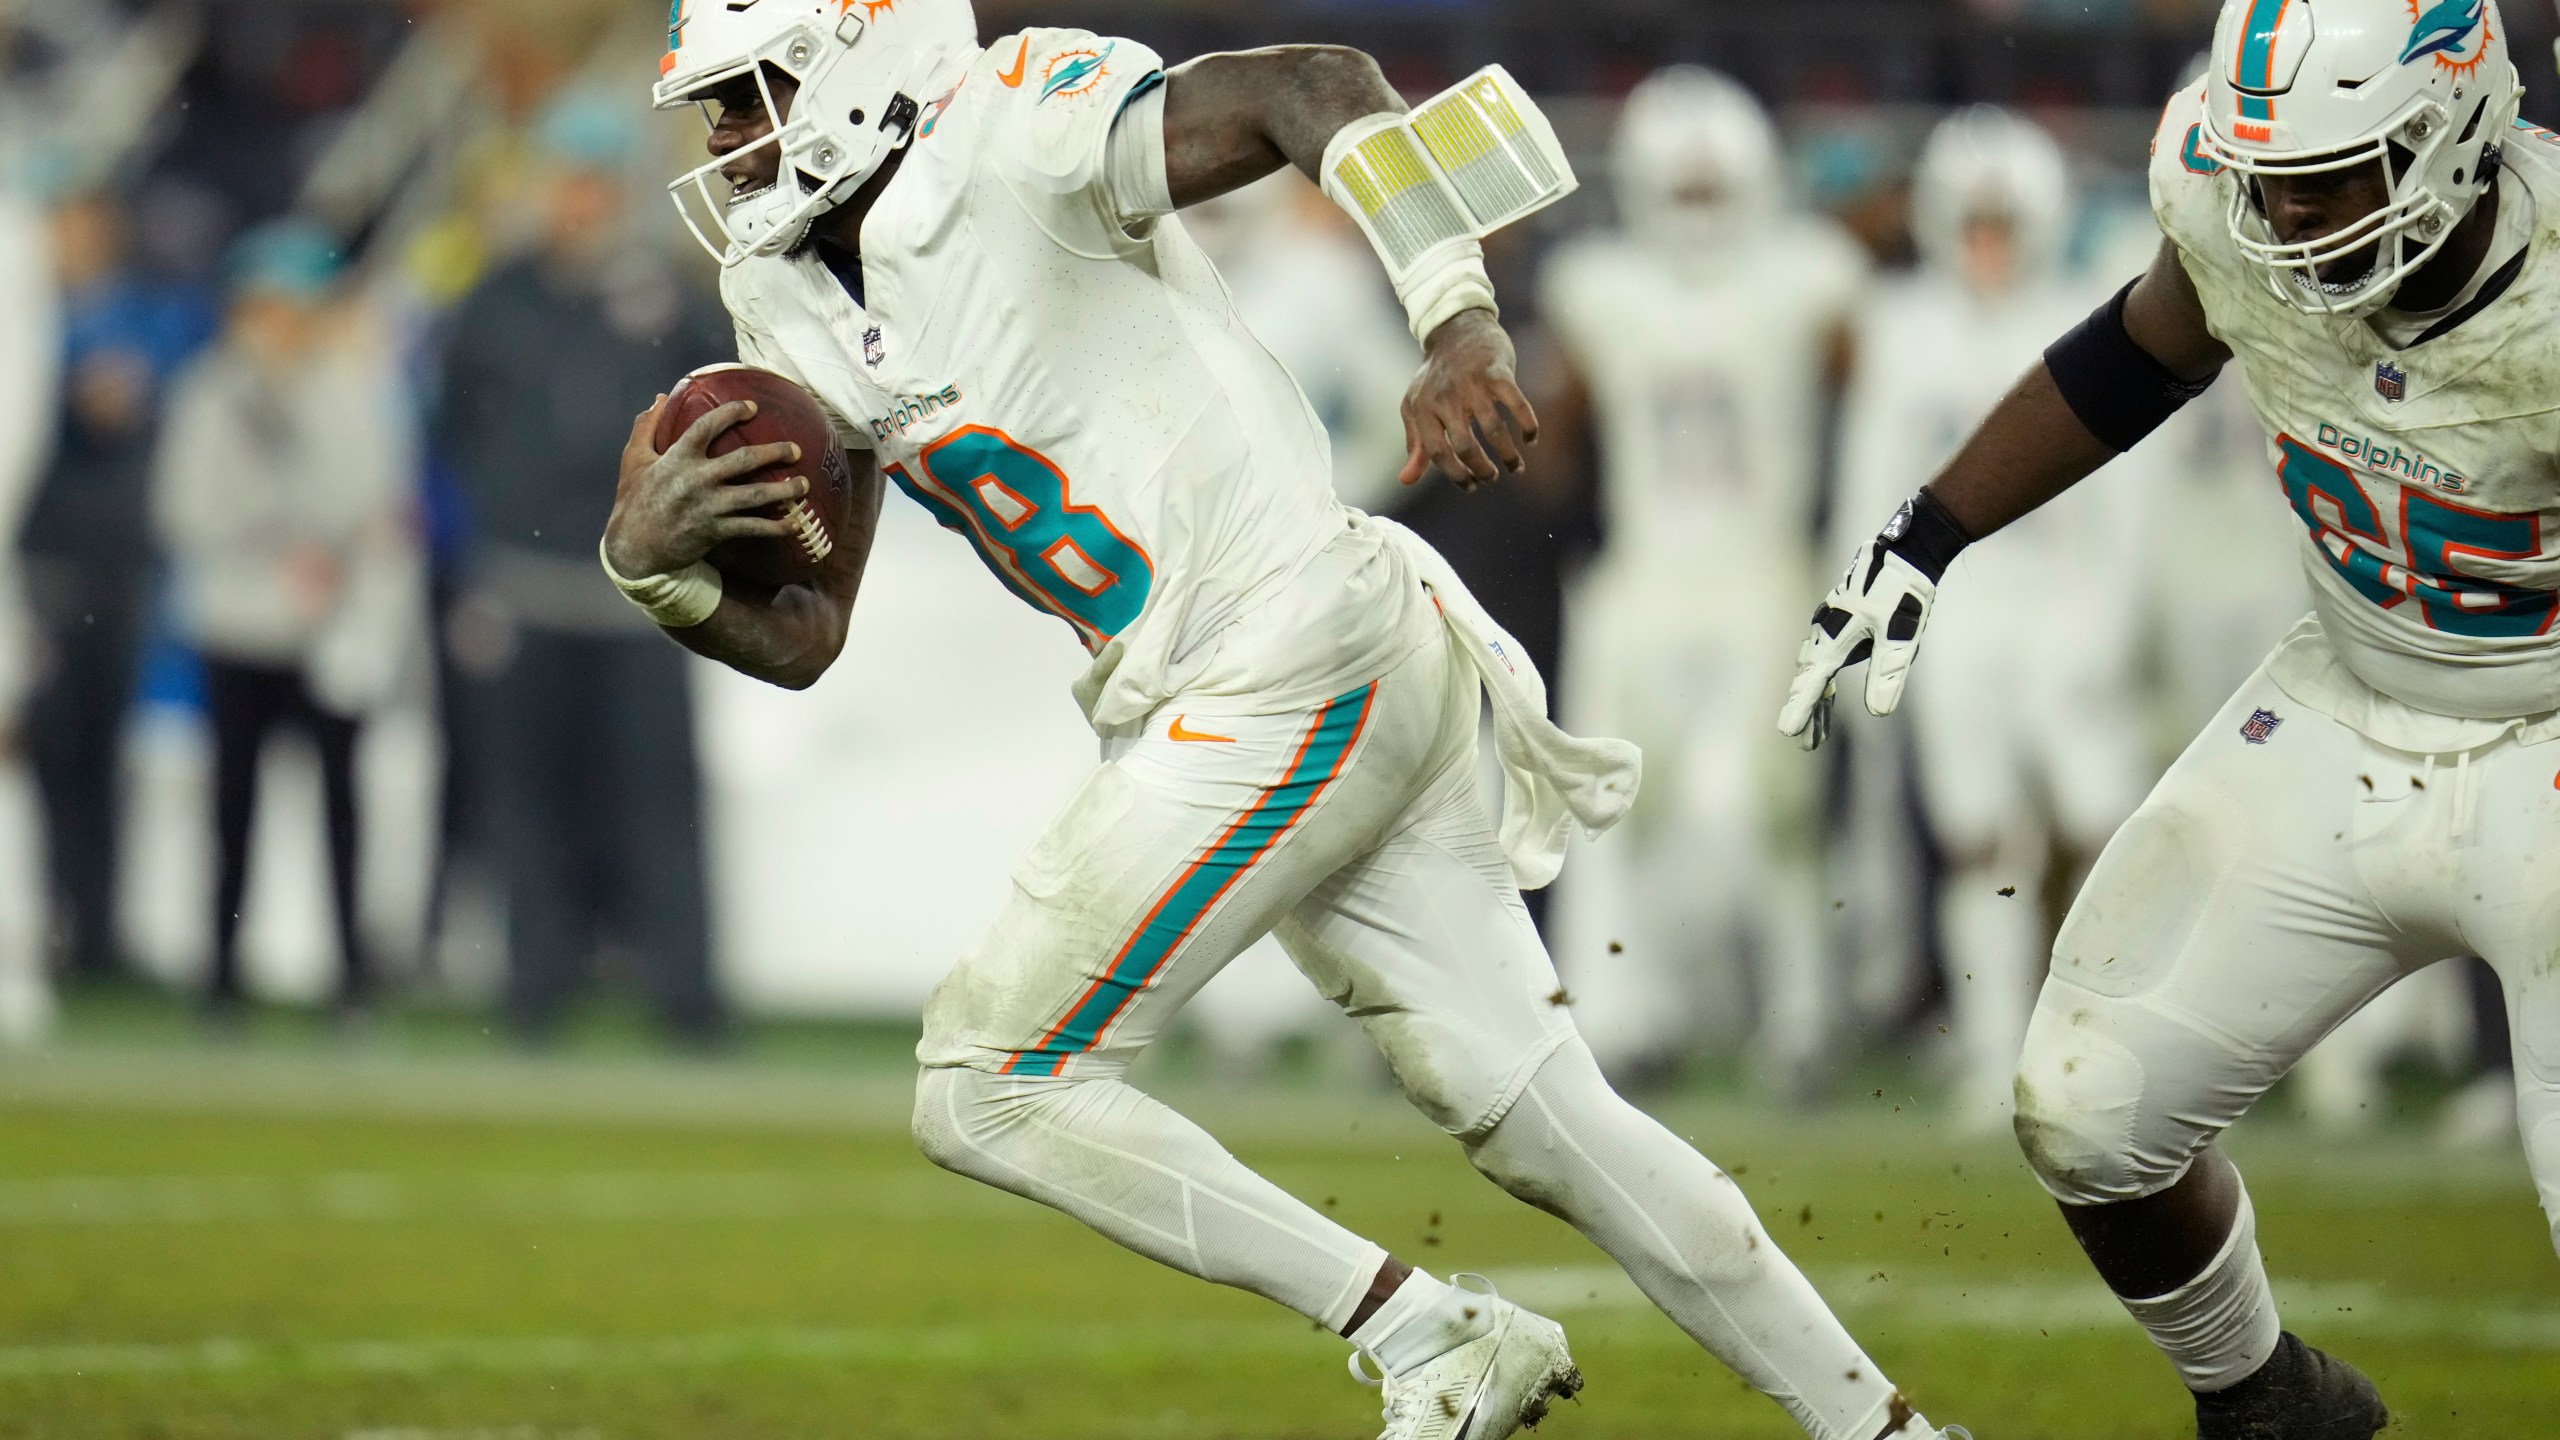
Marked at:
<point>283,498</point>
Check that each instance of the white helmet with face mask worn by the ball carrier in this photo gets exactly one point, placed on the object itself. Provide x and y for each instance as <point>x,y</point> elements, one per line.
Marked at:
<point>864,70</point>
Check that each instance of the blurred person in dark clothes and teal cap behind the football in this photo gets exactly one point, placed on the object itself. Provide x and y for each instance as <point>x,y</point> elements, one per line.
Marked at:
<point>580,711</point>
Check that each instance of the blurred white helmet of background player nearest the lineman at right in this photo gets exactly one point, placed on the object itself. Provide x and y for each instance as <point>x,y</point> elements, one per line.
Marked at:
<point>1990,163</point>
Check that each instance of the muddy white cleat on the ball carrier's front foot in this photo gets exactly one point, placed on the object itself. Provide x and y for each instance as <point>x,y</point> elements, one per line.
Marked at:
<point>1484,1390</point>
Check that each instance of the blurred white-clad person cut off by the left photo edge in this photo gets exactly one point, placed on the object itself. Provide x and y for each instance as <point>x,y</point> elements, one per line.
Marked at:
<point>29,368</point>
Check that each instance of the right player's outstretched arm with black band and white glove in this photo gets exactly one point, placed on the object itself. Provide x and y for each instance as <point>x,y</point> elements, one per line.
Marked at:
<point>2095,396</point>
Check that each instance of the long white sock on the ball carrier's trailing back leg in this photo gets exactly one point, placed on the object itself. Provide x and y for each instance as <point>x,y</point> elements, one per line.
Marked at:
<point>1688,1239</point>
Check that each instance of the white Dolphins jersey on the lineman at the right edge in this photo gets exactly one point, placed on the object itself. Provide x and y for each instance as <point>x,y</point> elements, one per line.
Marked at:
<point>2426,478</point>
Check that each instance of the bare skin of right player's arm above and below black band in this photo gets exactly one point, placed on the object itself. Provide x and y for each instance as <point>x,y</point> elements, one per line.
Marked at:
<point>2034,447</point>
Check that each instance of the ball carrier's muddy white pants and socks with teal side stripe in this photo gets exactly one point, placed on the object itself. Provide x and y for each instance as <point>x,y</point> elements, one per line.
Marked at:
<point>1353,831</point>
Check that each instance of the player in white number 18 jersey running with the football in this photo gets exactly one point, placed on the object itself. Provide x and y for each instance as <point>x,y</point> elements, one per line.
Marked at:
<point>972,258</point>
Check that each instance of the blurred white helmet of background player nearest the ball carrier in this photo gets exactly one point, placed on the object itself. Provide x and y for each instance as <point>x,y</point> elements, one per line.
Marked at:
<point>1696,158</point>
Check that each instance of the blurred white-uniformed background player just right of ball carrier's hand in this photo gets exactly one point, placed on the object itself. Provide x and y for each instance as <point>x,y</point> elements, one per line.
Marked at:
<point>1701,340</point>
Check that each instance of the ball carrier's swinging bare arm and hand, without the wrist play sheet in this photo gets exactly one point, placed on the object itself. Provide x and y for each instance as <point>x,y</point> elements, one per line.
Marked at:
<point>1233,119</point>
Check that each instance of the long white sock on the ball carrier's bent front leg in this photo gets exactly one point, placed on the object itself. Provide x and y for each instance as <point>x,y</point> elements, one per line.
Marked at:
<point>1146,1177</point>
